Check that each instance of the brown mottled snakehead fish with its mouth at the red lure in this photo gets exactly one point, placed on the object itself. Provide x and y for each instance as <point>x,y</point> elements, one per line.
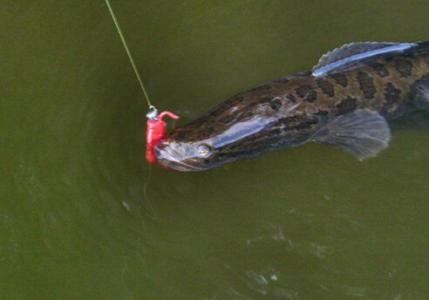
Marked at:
<point>348,99</point>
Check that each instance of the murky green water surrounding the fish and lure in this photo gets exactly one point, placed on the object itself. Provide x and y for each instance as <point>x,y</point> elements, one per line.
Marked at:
<point>79,217</point>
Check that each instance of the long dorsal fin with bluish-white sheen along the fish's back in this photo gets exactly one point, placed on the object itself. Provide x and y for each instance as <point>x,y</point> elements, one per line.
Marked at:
<point>351,53</point>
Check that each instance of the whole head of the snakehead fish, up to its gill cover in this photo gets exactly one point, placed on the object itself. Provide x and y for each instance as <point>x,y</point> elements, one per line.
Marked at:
<point>243,126</point>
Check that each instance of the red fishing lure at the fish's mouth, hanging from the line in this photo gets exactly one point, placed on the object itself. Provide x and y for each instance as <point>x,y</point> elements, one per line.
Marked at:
<point>156,131</point>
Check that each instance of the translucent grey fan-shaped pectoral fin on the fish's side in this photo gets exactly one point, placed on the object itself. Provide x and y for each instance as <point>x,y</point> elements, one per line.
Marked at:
<point>363,133</point>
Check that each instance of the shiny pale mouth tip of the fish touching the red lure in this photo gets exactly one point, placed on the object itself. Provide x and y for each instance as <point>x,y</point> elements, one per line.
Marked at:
<point>171,159</point>
